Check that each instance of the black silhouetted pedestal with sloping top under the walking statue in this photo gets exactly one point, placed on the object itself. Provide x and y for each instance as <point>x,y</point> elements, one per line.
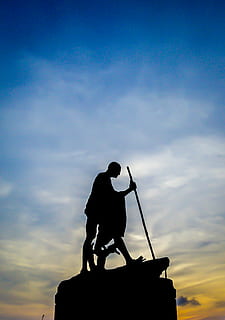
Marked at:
<point>126,292</point>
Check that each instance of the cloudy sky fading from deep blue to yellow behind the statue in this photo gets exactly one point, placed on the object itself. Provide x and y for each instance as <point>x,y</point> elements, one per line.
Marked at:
<point>84,83</point>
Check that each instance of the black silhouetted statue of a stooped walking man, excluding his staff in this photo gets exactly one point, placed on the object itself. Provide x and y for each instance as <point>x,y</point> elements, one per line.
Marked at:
<point>105,207</point>
